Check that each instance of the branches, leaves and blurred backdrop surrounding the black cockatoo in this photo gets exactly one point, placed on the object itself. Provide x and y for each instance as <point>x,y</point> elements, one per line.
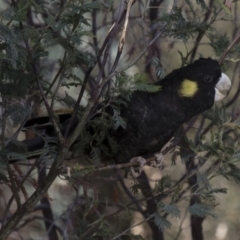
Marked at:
<point>71,54</point>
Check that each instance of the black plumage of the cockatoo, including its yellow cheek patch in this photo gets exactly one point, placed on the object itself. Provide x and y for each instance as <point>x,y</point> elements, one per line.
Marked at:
<point>153,118</point>
